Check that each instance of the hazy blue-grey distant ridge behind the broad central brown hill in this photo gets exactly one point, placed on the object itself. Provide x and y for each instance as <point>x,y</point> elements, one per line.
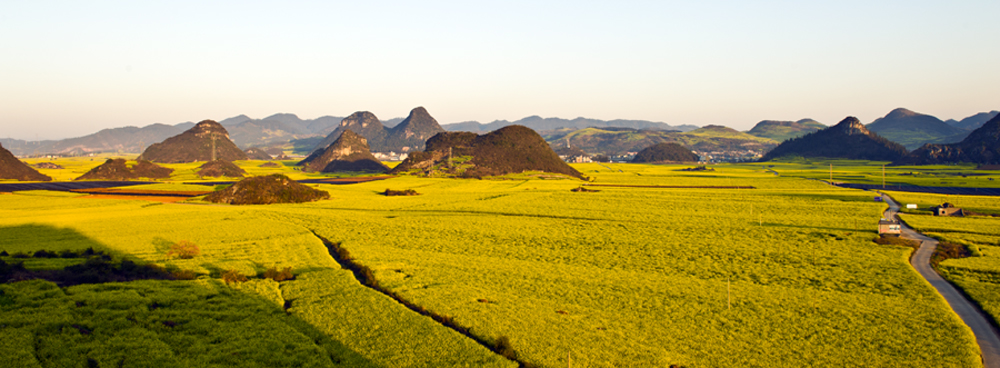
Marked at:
<point>540,124</point>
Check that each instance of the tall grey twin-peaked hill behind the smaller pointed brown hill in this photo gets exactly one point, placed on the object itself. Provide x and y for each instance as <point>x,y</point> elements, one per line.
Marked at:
<point>407,136</point>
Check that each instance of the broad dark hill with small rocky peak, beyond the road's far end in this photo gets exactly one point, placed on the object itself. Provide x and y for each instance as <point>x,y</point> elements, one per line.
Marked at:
<point>849,139</point>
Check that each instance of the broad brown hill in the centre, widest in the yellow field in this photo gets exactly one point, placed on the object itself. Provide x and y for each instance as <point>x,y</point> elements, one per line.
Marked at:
<point>511,149</point>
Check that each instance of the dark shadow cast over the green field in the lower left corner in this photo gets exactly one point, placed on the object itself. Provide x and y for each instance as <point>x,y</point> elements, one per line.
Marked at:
<point>161,314</point>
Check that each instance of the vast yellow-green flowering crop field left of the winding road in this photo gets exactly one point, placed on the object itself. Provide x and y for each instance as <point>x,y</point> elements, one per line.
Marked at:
<point>782,275</point>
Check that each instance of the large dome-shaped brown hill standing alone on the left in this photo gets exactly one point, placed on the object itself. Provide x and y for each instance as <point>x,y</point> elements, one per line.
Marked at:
<point>206,141</point>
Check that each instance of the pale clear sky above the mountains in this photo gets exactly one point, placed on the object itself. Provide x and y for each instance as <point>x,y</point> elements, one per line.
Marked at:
<point>71,68</point>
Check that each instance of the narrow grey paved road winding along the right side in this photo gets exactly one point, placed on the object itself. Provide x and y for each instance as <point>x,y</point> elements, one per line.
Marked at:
<point>986,335</point>
